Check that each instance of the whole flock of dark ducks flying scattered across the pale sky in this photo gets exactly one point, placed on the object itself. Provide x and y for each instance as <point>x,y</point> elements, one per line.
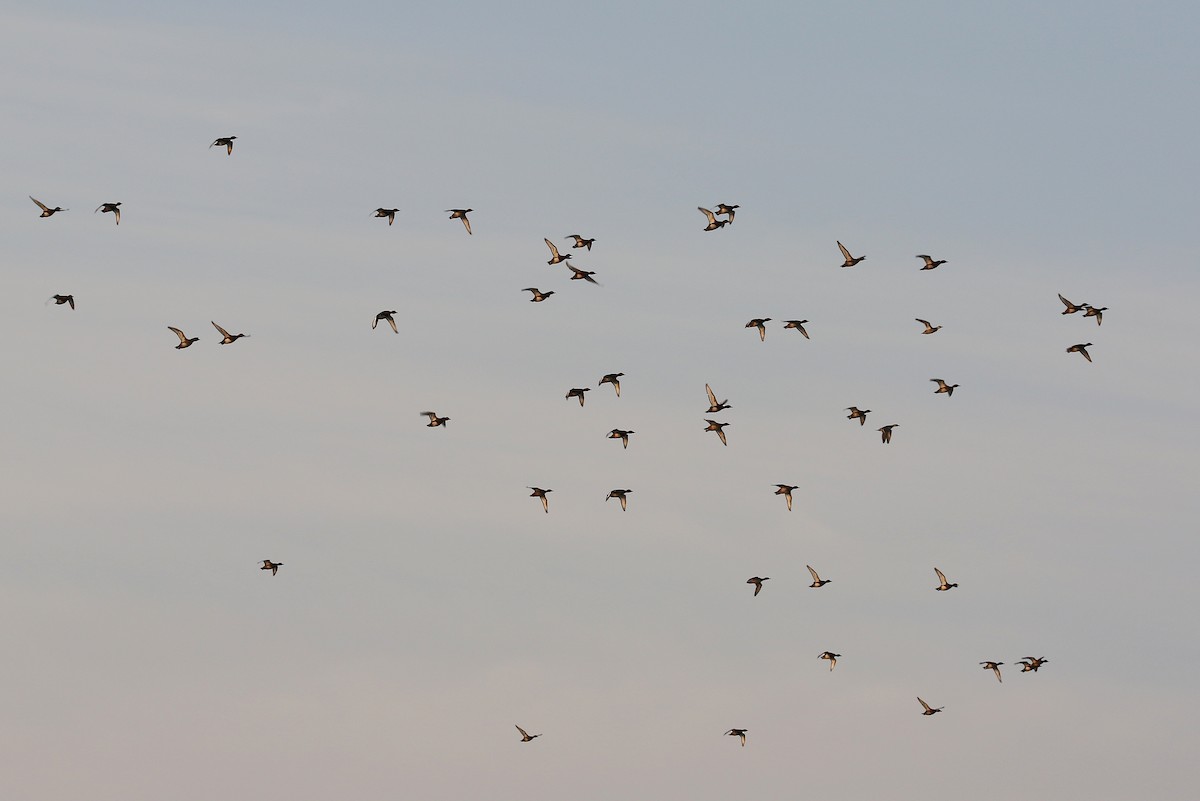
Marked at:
<point>1029,664</point>
